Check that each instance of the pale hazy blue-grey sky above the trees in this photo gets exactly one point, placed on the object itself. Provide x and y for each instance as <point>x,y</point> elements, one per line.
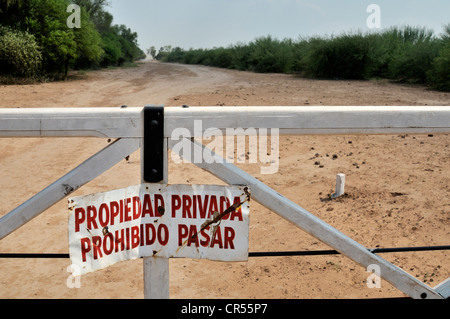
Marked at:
<point>216,23</point>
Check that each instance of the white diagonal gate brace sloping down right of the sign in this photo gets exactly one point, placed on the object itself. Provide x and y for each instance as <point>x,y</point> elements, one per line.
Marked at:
<point>313,225</point>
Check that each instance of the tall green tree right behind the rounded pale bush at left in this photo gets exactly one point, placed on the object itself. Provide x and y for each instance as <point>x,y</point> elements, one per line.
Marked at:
<point>46,20</point>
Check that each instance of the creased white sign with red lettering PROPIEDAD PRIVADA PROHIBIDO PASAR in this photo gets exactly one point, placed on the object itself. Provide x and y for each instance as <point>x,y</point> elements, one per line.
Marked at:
<point>194,221</point>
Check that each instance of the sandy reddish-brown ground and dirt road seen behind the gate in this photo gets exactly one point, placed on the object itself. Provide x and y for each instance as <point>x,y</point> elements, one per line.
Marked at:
<point>398,188</point>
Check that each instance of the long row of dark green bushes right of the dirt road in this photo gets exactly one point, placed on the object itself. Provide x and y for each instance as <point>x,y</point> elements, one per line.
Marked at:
<point>409,54</point>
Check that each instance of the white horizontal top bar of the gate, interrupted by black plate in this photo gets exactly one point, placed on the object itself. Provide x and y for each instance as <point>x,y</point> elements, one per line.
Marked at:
<point>127,122</point>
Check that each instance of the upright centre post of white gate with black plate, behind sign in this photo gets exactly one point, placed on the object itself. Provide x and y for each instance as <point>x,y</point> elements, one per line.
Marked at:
<point>154,169</point>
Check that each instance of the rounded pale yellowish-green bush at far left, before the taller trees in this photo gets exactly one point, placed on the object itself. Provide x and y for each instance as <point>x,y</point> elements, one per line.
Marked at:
<point>19,53</point>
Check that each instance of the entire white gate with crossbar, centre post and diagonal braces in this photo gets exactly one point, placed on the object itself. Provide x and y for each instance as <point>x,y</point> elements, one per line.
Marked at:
<point>131,129</point>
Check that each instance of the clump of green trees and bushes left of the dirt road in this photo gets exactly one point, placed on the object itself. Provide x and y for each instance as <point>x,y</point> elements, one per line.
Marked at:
<point>35,40</point>
